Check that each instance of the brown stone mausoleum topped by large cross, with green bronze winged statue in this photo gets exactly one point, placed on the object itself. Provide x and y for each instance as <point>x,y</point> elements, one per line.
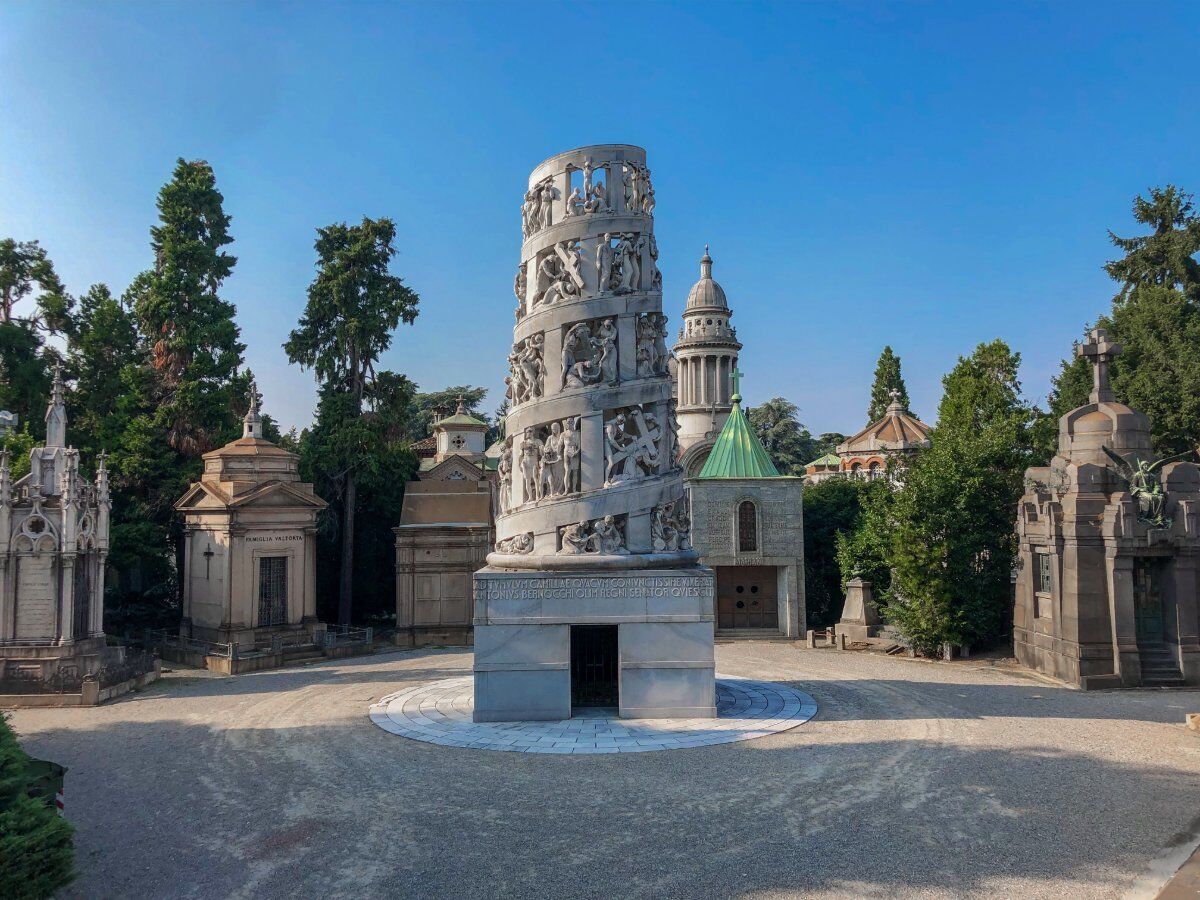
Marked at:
<point>1108,591</point>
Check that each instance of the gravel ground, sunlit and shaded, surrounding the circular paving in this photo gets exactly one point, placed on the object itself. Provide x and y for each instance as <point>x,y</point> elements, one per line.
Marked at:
<point>915,779</point>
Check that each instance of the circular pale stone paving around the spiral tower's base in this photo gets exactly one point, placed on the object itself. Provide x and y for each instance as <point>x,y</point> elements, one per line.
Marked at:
<point>440,713</point>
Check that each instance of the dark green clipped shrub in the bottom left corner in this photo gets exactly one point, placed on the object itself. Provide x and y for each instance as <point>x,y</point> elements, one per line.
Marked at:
<point>37,844</point>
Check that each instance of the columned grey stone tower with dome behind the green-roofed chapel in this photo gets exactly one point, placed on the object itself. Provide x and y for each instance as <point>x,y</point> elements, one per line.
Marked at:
<point>706,356</point>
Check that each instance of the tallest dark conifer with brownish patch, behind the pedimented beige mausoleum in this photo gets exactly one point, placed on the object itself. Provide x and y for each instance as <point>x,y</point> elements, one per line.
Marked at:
<point>184,395</point>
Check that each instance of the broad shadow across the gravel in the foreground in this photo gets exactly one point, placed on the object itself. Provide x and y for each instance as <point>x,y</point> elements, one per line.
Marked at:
<point>183,809</point>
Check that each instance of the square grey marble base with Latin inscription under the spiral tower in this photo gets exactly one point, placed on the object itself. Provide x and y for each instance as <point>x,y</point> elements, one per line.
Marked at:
<point>664,623</point>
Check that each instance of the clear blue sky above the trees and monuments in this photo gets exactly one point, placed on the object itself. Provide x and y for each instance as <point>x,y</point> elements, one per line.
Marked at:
<point>926,176</point>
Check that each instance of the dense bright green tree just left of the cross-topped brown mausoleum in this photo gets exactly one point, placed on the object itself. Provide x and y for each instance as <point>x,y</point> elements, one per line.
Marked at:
<point>953,543</point>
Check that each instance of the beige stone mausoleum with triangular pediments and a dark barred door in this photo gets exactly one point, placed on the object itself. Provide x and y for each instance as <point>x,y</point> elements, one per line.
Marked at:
<point>250,556</point>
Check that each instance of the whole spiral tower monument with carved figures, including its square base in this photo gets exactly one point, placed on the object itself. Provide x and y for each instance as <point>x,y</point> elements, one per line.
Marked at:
<point>592,530</point>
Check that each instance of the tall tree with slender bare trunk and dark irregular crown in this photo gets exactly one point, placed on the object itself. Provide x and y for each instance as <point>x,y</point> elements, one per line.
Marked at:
<point>355,305</point>
